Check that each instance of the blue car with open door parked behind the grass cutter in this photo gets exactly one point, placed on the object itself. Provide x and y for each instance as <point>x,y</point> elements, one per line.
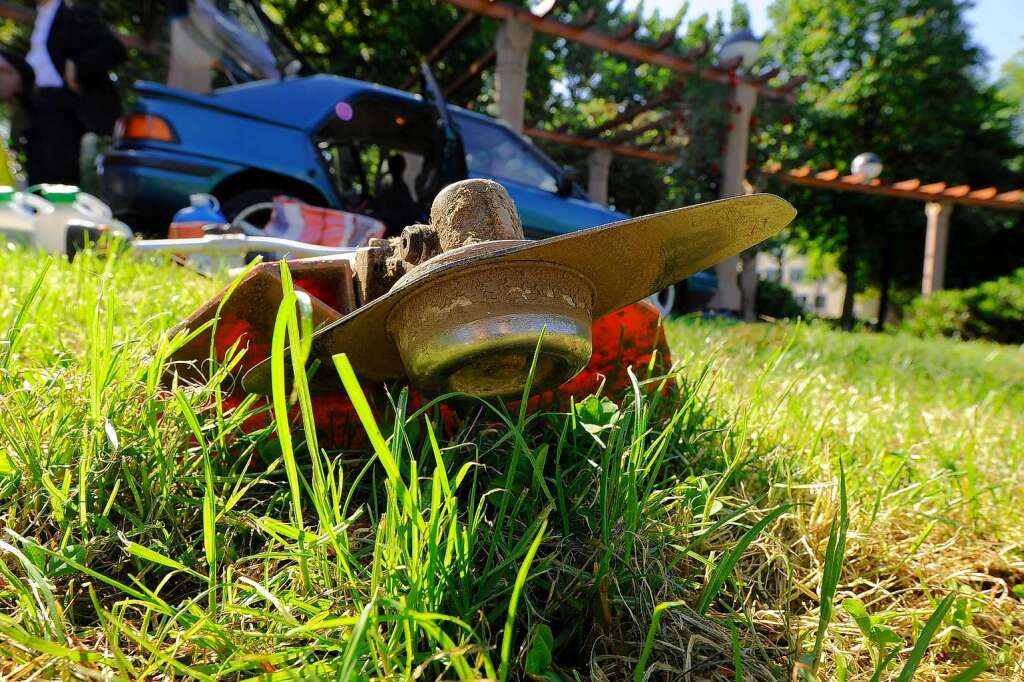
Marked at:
<point>331,142</point>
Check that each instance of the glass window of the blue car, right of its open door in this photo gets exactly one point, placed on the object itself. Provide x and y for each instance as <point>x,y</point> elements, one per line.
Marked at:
<point>494,151</point>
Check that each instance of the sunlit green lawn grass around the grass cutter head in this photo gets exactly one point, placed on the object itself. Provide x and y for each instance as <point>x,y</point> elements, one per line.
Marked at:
<point>696,530</point>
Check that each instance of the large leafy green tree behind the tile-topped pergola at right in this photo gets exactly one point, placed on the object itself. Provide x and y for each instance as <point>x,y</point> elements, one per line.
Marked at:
<point>904,79</point>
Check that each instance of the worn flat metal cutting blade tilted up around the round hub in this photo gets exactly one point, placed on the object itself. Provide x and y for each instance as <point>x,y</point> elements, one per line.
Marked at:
<point>625,262</point>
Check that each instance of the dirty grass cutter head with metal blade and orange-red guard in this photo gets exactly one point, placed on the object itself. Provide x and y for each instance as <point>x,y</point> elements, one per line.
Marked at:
<point>466,306</point>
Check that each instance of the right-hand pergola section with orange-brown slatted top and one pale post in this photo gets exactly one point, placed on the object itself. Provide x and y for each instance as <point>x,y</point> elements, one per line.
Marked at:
<point>940,200</point>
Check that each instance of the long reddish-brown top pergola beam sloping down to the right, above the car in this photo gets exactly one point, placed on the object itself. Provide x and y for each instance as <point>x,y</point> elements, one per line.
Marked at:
<point>602,41</point>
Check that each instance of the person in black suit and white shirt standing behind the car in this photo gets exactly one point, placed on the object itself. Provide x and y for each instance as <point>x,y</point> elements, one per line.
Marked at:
<point>73,53</point>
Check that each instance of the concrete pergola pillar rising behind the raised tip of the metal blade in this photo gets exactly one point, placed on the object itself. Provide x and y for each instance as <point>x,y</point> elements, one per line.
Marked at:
<point>744,99</point>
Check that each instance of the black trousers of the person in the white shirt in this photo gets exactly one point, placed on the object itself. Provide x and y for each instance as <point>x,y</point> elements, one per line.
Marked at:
<point>55,140</point>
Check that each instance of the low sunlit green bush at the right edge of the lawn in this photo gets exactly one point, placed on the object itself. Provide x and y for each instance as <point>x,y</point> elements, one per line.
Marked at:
<point>992,311</point>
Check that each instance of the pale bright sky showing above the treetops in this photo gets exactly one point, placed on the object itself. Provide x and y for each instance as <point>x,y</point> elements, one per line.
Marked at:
<point>996,24</point>
